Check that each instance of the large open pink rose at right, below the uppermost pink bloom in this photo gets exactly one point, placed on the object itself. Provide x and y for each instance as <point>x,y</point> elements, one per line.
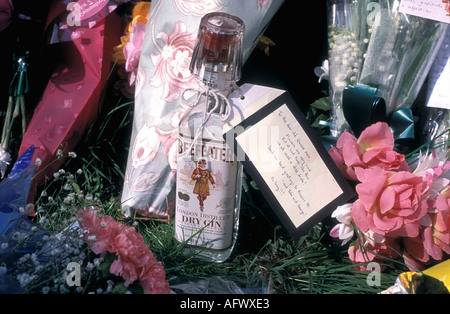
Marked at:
<point>390,203</point>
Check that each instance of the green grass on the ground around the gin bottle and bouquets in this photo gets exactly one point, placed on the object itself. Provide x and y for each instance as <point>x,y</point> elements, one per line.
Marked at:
<point>313,264</point>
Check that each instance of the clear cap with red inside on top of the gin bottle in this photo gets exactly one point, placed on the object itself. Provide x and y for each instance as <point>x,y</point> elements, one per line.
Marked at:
<point>217,56</point>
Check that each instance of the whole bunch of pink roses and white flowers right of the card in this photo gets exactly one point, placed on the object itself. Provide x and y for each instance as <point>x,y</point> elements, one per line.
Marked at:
<point>403,205</point>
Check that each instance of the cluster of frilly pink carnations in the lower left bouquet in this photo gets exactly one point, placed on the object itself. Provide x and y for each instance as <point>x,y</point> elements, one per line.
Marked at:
<point>134,260</point>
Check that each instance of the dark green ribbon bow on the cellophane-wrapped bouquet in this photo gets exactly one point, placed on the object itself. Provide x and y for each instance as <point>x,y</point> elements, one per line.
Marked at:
<point>362,107</point>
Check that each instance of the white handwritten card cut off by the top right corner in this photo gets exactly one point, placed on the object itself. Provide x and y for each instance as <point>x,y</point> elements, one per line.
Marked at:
<point>429,9</point>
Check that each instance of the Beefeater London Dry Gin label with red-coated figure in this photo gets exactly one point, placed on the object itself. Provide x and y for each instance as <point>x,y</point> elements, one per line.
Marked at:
<point>206,189</point>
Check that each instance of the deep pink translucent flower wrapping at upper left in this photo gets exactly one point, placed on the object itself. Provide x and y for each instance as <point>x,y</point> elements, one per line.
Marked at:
<point>72,97</point>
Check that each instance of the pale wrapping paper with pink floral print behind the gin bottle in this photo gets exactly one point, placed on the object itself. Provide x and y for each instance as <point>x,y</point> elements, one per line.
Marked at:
<point>162,76</point>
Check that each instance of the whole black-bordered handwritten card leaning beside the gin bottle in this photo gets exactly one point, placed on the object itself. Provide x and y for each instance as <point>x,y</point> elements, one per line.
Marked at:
<point>290,164</point>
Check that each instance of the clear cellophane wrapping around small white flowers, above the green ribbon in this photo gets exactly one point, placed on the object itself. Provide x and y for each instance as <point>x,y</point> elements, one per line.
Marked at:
<point>371,43</point>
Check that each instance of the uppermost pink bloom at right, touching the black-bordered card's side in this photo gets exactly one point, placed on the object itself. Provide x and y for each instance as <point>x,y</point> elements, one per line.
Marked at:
<point>373,148</point>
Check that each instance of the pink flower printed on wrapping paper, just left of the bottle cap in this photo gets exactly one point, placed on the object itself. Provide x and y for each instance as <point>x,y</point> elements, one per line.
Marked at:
<point>172,64</point>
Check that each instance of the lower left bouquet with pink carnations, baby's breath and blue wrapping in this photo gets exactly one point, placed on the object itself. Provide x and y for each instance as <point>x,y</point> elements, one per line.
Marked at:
<point>102,254</point>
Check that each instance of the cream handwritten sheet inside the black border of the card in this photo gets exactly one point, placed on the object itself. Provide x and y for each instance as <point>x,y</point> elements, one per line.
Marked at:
<point>300,181</point>
